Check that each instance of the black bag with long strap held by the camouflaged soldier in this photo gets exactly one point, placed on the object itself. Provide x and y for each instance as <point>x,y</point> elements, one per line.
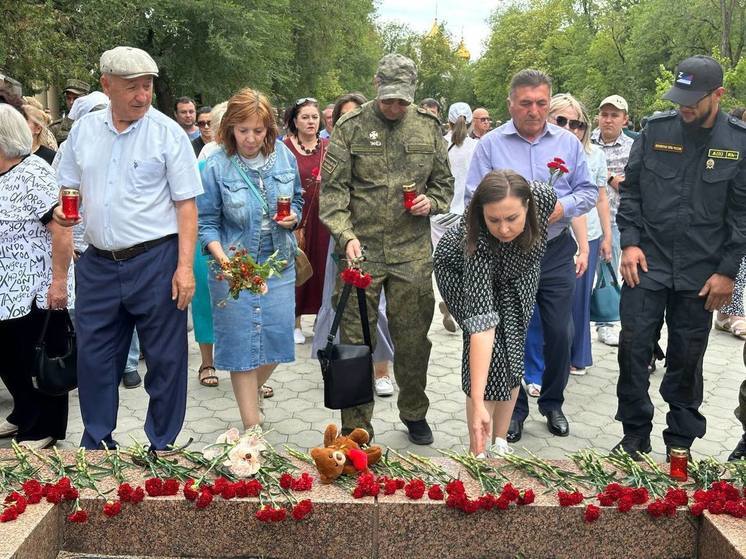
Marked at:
<point>347,369</point>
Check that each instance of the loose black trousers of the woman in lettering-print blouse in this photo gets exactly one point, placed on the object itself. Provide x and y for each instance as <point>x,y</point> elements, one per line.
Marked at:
<point>36,414</point>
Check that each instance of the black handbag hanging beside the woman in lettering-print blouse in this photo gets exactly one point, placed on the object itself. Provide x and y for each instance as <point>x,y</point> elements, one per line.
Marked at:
<point>56,375</point>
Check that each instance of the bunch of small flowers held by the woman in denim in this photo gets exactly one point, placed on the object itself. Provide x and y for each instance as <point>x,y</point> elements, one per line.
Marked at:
<point>243,273</point>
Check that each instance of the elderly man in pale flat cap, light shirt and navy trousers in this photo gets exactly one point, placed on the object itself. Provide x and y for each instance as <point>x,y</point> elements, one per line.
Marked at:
<point>137,176</point>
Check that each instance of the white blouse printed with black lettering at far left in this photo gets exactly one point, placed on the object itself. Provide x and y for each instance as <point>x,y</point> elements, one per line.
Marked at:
<point>27,193</point>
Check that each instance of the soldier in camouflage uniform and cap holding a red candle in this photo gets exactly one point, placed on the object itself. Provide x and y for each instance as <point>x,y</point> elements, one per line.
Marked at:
<point>374,150</point>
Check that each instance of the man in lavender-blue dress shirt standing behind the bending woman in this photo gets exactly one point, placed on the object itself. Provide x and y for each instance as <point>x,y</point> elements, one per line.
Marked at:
<point>526,143</point>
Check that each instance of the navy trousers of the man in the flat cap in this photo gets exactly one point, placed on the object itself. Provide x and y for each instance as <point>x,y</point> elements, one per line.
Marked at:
<point>113,298</point>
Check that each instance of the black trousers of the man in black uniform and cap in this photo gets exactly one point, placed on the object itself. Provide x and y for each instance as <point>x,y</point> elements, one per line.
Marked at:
<point>689,324</point>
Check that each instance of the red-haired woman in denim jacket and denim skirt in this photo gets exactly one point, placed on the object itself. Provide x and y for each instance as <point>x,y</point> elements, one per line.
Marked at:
<point>242,181</point>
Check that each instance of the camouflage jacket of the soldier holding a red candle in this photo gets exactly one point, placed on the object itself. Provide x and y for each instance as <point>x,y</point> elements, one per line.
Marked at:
<point>368,160</point>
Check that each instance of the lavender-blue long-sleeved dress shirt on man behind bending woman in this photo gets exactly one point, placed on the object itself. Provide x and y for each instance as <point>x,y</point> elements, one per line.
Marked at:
<point>505,148</point>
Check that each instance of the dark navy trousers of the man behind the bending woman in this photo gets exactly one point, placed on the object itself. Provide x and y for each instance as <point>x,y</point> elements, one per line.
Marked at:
<point>554,299</point>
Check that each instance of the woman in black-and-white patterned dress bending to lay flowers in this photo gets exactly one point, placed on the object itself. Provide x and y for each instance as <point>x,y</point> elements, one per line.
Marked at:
<point>487,269</point>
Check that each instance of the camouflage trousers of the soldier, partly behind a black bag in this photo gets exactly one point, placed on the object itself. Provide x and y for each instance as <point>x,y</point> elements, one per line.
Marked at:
<point>410,305</point>
